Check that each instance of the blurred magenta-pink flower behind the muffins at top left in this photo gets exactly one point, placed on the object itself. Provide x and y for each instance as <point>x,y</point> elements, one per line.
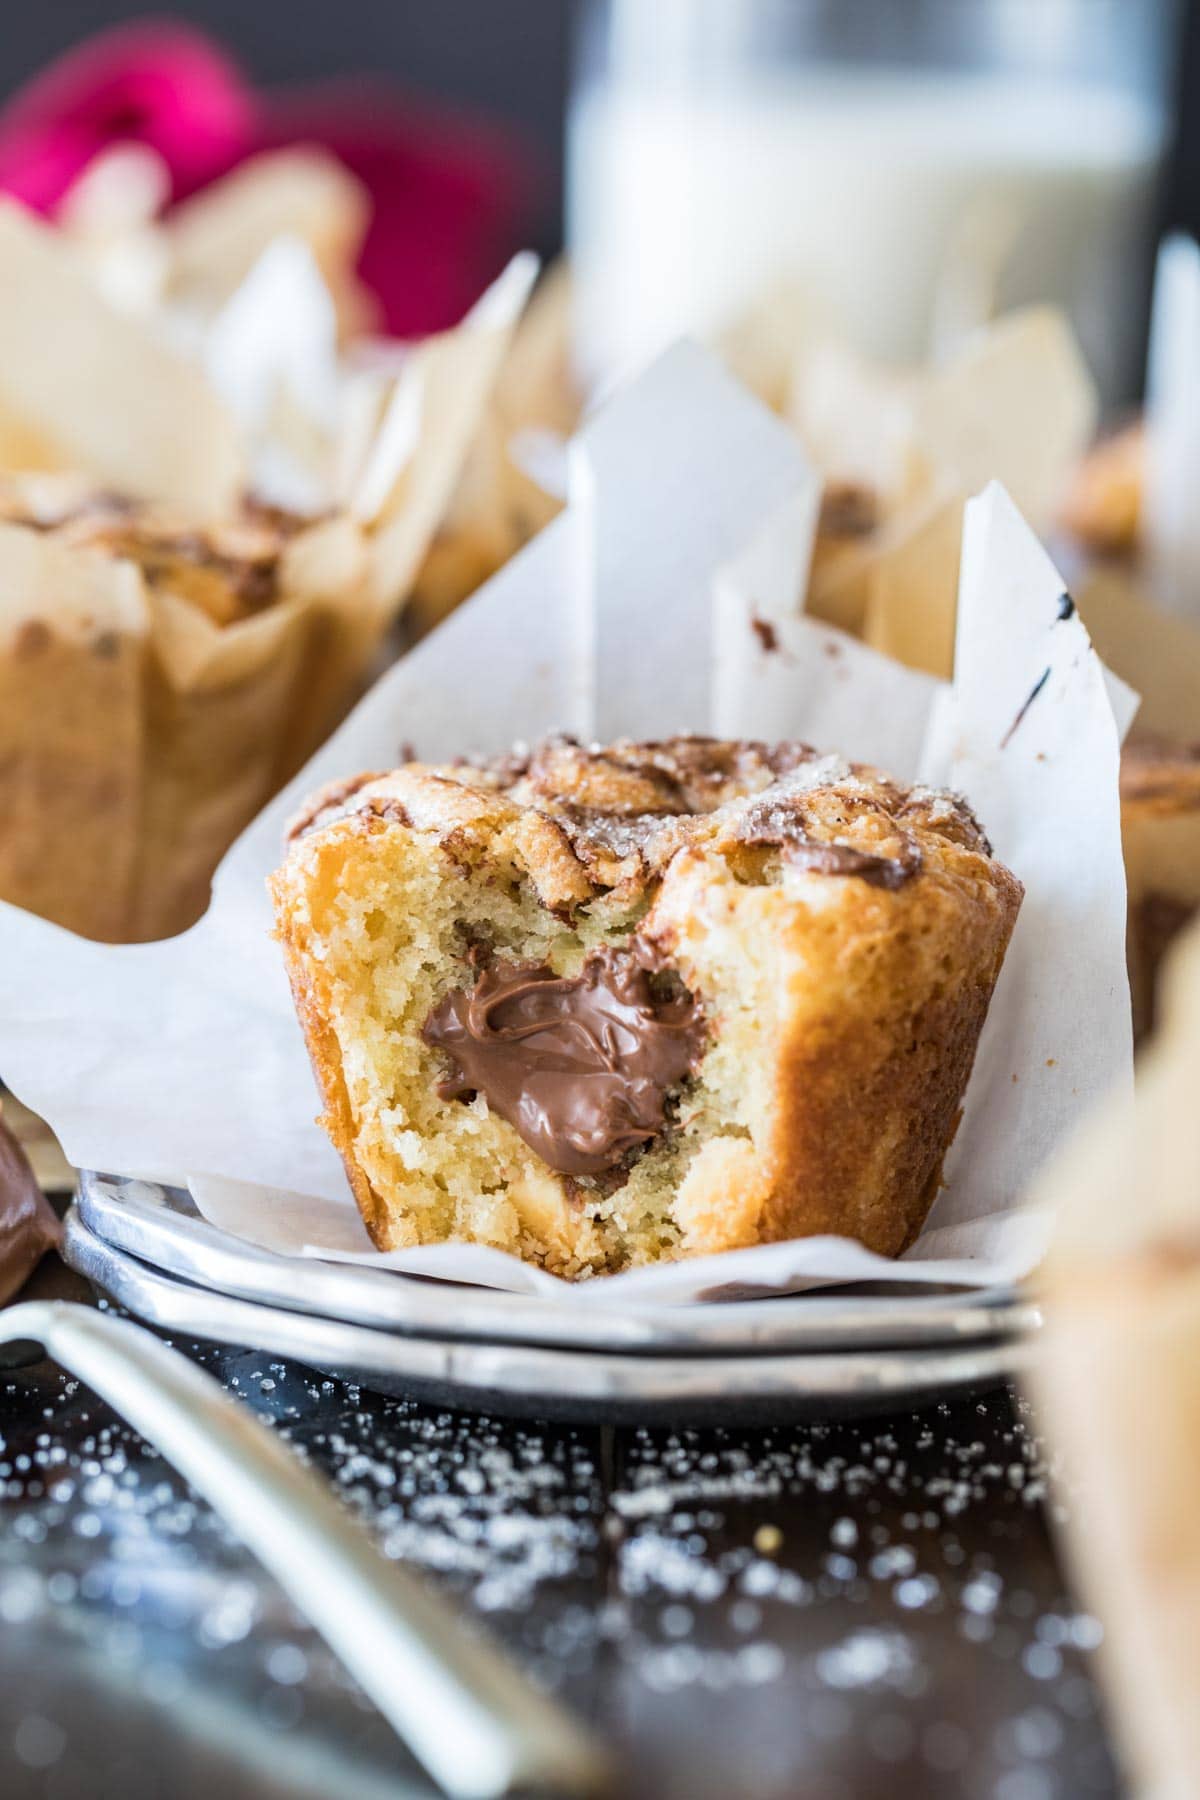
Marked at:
<point>452,197</point>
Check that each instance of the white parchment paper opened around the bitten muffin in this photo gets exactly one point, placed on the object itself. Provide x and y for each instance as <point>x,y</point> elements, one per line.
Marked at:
<point>641,609</point>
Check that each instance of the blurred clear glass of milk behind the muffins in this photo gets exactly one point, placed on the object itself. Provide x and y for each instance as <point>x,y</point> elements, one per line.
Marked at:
<point>915,165</point>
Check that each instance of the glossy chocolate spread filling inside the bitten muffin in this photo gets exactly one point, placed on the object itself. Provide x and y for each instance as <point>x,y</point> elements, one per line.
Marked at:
<point>580,1066</point>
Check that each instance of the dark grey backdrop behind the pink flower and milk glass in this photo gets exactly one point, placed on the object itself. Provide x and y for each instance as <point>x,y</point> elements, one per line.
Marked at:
<point>508,58</point>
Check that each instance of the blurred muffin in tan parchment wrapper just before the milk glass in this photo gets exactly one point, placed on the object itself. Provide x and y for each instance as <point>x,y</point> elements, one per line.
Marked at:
<point>902,451</point>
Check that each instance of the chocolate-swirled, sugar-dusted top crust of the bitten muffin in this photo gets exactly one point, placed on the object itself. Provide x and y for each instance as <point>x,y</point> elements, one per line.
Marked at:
<point>600,818</point>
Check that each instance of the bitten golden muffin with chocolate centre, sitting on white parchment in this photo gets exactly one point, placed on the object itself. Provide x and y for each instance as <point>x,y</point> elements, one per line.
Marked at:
<point>605,1007</point>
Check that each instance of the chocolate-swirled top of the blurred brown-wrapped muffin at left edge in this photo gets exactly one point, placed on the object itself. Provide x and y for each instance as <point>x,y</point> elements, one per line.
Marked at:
<point>229,568</point>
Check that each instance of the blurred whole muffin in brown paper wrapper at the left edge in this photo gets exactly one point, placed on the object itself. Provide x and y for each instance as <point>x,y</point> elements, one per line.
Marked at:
<point>163,674</point>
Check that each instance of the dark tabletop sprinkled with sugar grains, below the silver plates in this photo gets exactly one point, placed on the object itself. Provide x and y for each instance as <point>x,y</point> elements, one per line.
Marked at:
<point>828,1612</point>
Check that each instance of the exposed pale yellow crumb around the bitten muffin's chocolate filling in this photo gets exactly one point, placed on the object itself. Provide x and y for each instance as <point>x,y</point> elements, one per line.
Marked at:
<point>397,935</point>
